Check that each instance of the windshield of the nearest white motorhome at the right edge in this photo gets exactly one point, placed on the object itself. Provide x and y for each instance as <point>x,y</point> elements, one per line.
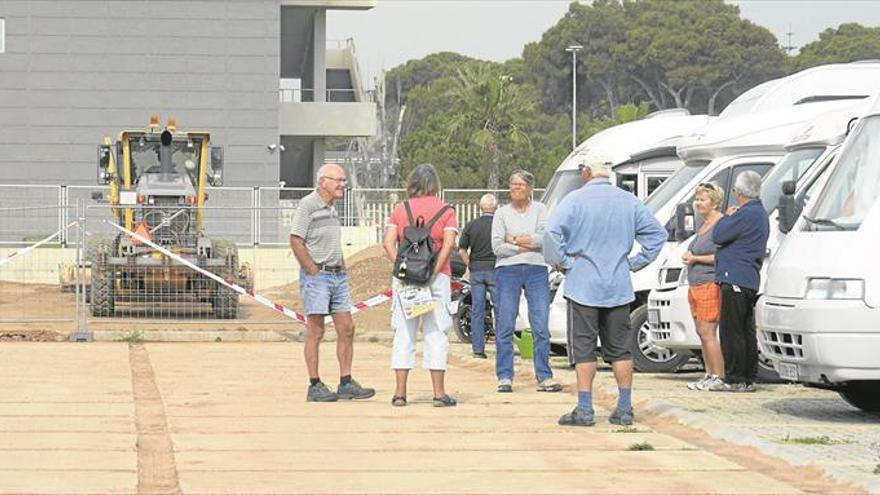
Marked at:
<point>854,186</point>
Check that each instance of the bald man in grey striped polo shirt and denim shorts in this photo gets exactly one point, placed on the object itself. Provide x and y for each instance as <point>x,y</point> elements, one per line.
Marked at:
<point>315,238</point>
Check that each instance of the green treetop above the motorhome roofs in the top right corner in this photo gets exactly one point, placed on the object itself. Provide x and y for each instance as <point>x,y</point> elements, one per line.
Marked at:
<point>847,43</point>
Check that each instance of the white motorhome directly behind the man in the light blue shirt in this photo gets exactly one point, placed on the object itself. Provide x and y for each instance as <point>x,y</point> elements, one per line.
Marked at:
<point>807,93</point>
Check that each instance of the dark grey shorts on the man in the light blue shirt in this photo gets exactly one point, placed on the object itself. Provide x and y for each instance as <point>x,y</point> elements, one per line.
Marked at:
<point>587,323</point>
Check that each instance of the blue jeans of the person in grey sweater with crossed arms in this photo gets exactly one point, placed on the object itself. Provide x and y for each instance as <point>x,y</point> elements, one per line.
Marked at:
<point>512,280</point>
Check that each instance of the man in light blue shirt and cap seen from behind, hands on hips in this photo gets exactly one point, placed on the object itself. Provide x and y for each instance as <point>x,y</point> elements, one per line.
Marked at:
<point>590,235</point>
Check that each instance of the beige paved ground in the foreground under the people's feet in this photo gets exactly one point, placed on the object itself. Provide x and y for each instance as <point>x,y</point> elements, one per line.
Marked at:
<point>231,418</point>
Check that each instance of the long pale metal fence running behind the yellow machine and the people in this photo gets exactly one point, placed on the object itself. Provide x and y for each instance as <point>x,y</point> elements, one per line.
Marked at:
<point>249,216</point>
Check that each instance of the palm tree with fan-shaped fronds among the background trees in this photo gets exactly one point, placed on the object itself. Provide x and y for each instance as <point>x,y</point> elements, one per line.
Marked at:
<point>487,111</point>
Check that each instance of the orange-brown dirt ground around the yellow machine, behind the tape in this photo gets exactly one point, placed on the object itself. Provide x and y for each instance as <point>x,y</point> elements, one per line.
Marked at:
<point>42,312</point>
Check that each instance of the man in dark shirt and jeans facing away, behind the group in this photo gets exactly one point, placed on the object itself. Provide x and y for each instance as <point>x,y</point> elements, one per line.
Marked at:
<point>477,238</point>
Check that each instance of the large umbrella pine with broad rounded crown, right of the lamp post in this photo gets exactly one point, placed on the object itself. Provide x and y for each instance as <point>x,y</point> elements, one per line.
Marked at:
<point>686,53</point>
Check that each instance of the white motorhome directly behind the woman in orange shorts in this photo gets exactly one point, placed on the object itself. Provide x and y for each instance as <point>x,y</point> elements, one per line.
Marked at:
<point>808,157</point>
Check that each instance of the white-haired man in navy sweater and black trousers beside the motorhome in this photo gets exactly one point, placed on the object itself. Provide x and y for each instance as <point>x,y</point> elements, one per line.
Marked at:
<point>741,236</point>
